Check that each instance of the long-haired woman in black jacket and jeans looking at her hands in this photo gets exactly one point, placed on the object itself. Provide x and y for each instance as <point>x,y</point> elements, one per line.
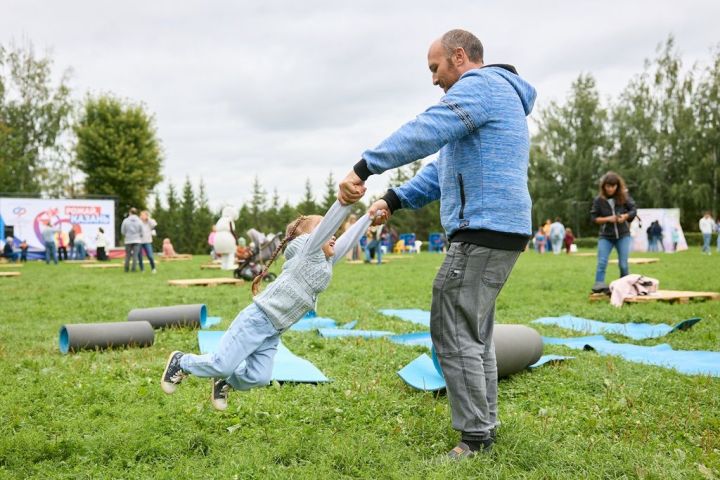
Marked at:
<point>613,210</point>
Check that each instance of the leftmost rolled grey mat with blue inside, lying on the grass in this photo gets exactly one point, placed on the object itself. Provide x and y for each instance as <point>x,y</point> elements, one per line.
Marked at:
<point>81,336</point>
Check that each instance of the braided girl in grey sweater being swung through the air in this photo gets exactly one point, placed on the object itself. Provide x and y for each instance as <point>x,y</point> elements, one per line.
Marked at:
<point>244,358</point>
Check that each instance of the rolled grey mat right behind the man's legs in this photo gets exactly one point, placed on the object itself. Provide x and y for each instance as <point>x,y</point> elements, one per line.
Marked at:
<point>516,348</point>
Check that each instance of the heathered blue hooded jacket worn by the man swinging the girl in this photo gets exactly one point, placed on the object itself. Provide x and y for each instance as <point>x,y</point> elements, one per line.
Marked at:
<point>480,175</point>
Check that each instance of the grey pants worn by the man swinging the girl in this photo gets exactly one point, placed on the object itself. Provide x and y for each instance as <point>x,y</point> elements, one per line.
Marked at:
<point>461,325</point>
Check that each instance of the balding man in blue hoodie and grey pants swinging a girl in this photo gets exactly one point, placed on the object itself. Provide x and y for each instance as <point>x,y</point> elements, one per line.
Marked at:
<point>480,130</point>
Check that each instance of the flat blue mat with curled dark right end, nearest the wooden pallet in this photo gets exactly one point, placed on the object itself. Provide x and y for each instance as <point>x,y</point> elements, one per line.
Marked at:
<point>636,331</point>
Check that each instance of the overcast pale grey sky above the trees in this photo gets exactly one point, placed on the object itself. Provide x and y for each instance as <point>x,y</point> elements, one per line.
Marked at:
<point>293,90</point>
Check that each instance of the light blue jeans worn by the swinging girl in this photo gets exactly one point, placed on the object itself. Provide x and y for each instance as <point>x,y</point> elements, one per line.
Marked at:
<point>244,357</point>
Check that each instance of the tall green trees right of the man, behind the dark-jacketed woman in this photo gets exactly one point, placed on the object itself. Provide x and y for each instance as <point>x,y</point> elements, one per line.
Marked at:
<point>661,134</point>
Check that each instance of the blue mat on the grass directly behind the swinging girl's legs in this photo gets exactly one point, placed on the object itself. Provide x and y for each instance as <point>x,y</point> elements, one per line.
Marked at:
<point>287,366</point>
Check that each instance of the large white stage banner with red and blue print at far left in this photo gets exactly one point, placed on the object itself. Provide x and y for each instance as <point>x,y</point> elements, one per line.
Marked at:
<point>24,218</point>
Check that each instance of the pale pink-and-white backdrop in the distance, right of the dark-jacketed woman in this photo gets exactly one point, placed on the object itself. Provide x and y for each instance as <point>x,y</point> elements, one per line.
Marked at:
<point>671,238</point>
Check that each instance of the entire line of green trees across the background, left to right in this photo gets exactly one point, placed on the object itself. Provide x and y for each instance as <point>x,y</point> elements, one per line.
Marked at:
<point>661,133</point>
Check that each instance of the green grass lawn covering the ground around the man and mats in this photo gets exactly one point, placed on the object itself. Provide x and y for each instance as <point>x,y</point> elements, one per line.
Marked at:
<point>101,414</point>
